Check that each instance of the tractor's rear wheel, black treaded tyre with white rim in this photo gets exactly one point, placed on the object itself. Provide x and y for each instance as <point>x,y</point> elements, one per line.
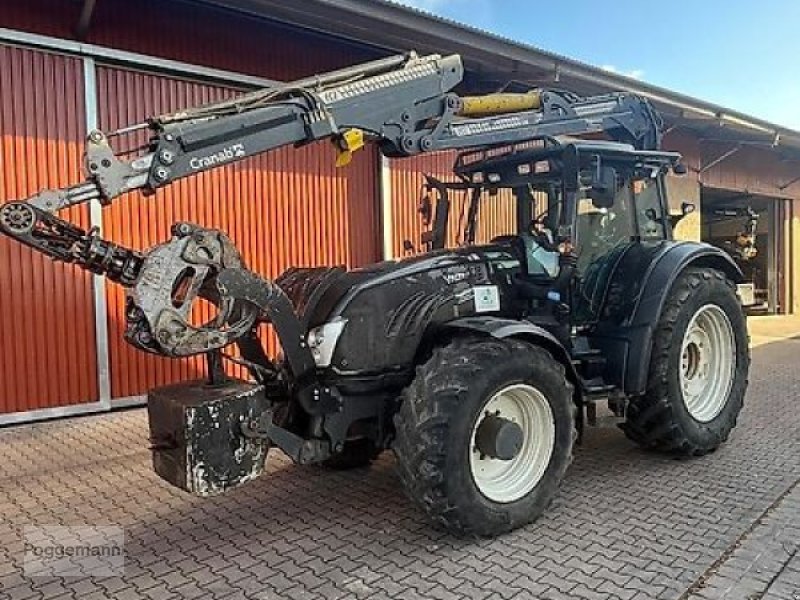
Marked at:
<point>698,368</point>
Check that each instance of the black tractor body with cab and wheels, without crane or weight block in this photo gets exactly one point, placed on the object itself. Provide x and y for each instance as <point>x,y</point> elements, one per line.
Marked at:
<point>489,358</point>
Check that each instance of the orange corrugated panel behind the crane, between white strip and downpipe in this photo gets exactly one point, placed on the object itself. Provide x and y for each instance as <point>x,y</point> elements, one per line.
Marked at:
<point>289,207</point>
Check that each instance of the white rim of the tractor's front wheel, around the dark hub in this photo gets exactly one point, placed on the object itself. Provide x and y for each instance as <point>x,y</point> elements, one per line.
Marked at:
<point>509,480</point>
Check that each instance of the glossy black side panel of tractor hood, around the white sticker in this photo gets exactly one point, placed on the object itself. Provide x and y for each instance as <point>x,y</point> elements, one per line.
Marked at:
<point>392,309</point>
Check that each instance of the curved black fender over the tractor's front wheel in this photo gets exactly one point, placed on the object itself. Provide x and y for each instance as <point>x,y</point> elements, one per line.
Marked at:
<point>523,330</point>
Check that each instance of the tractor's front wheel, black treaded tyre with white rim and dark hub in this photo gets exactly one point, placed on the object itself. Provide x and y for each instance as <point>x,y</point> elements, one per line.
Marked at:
<point>456,447</point>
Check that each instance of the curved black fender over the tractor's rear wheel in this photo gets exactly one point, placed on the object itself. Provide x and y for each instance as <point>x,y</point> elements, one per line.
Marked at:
<point>646,312</point>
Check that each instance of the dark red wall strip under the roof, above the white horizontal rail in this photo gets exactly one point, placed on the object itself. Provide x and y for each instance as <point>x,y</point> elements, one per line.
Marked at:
<point>191,32</point>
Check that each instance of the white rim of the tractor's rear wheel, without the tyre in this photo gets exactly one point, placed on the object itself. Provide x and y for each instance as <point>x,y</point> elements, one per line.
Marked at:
<point>708,362</point>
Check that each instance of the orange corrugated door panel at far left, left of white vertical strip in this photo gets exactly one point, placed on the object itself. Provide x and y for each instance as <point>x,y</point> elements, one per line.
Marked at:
<point>47,354</point>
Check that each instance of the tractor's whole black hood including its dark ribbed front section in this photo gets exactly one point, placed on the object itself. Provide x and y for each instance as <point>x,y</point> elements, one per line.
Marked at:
<point>388,307</point>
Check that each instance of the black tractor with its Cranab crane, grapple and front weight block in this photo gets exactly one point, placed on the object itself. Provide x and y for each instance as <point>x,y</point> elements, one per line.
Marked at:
<point>477,364</point>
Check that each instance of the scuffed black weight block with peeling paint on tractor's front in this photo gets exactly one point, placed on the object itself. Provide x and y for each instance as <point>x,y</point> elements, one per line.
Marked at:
<point>196,436</point>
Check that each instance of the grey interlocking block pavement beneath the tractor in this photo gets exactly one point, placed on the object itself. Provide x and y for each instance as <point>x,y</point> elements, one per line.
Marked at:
<point>627,523</point>
